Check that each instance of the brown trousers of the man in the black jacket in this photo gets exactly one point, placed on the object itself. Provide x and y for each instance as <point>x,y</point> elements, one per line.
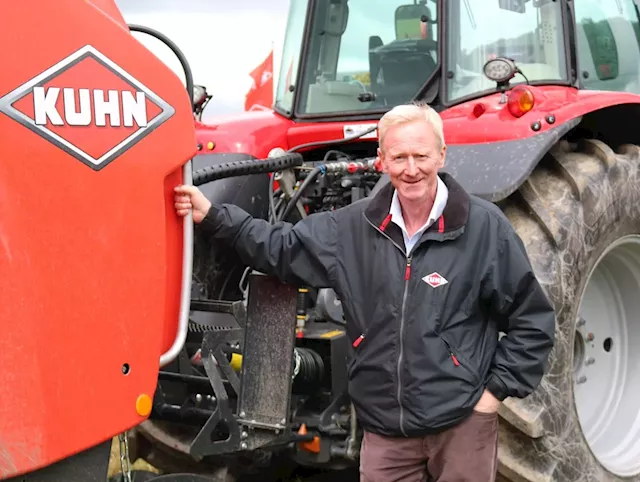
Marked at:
<point>464,453</point>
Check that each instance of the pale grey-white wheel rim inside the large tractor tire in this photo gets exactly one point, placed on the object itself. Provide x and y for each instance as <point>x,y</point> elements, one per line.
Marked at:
<point>607,358</point>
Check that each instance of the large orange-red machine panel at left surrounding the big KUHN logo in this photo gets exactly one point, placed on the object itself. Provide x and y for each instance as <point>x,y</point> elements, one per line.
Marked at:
<point>90,256</point>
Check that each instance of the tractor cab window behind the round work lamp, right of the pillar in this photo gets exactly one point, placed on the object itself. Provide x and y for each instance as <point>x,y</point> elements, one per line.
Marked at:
<point>529,32</point>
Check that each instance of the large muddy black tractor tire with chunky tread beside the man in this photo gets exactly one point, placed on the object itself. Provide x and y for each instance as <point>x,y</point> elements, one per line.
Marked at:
<point>580,199</point>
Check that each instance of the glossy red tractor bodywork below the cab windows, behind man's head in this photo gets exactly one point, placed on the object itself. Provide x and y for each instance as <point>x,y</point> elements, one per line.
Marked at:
<point>257,132</point>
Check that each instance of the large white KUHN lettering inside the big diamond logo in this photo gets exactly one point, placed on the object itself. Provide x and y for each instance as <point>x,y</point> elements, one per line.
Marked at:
<point>104,103</point>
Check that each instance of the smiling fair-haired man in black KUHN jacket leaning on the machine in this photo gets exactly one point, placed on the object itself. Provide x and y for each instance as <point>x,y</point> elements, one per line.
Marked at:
<point>428,276</point>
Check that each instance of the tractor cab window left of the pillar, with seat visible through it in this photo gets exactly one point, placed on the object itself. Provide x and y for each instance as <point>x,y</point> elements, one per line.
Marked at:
<point>362,54</point>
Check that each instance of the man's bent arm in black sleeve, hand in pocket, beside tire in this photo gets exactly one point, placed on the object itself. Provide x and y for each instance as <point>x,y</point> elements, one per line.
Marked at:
<point>516,299</point>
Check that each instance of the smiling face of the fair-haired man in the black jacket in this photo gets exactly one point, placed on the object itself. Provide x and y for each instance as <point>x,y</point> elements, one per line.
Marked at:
<point>411,155</point>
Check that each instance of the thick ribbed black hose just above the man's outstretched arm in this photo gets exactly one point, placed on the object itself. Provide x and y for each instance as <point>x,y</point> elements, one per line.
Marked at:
<point>243,168</point>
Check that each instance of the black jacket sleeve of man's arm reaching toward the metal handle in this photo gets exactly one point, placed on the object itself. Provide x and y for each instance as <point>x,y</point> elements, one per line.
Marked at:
<point>302,253</point>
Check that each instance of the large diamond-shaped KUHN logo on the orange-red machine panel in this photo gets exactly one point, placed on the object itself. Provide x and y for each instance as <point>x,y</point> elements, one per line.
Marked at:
<point>88,106</point>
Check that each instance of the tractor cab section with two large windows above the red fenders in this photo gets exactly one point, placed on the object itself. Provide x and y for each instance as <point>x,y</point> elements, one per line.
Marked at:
<point>361,57</point>
